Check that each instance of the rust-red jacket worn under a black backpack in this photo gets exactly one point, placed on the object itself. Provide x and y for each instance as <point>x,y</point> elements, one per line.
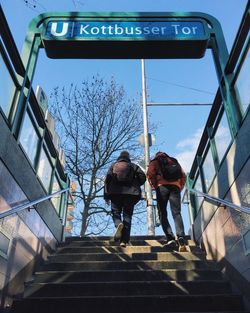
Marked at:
<point>156,179</point>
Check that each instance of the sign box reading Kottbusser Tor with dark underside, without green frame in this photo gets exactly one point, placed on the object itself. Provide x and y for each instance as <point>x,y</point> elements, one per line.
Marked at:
<point>117,38</point>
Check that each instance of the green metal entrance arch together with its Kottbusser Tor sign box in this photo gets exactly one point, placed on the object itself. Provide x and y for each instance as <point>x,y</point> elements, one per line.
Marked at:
<point>117,35</point>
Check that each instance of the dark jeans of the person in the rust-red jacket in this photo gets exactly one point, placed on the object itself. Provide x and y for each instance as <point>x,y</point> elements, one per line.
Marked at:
<point>172,194</point>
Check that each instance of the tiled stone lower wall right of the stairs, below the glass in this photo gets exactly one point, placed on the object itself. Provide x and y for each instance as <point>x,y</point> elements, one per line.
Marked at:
<point>224,232</point>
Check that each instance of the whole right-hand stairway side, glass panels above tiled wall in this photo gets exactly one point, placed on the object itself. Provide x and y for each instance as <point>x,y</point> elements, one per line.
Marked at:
<point>221,169</point>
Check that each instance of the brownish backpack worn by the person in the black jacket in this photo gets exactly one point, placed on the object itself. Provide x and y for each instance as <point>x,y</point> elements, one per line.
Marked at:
<point>123,172</point>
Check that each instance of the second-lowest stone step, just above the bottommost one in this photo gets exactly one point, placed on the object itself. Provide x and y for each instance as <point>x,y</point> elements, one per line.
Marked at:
<point>126,288</point>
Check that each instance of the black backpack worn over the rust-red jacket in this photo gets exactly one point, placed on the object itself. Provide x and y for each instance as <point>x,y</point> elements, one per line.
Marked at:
<point>170,170</point>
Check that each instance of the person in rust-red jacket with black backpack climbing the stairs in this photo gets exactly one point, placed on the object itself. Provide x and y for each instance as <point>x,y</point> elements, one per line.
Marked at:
<point>167,177</point>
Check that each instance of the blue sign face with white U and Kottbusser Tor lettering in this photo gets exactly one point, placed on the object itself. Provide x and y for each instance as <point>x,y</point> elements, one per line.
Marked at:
<point>143,30</point>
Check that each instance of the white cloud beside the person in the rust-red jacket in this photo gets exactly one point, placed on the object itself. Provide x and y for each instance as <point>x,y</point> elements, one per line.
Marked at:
<point>188,147</point>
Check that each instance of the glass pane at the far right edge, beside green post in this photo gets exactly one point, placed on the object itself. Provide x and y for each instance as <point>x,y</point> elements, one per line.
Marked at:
<point>242,83</point>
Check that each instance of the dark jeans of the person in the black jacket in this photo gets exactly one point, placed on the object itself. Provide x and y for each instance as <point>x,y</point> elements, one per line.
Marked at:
<point>122,207</point>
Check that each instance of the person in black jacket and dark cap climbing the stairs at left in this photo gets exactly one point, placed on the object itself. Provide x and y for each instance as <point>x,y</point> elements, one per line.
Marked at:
<point>123,196</point>
